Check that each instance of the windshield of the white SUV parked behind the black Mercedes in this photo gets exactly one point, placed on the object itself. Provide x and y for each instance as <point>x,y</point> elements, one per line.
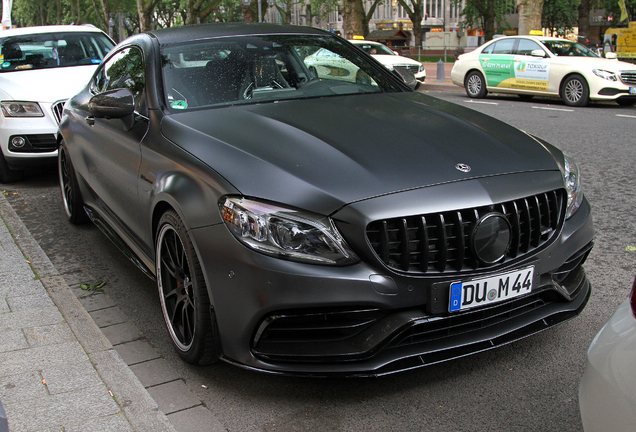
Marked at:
<point>52,50</point>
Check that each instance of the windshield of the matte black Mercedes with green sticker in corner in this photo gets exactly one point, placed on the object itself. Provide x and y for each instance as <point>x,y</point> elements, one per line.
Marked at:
<point>266,68</point>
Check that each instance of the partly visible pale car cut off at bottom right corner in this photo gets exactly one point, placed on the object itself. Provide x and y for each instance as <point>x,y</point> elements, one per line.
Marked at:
<point>607,393</point>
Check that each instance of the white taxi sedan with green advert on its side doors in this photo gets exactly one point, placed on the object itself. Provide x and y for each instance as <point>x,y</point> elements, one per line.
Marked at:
<point>546,66</point>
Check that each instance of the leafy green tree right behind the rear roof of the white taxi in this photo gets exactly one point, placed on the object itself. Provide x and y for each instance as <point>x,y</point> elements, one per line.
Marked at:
<point>485,14</point>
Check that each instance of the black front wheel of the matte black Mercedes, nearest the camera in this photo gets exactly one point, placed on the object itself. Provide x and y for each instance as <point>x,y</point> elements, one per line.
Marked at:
<point>184,299</point>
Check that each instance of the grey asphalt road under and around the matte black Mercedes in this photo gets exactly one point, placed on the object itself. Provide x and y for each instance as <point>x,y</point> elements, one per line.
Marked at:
<point>531,385</point>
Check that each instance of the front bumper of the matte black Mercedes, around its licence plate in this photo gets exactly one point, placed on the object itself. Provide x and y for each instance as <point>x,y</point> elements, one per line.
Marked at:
<point>285,317</point>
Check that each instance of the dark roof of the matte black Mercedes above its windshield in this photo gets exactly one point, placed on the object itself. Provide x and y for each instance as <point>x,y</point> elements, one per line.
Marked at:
<point>204,31</point>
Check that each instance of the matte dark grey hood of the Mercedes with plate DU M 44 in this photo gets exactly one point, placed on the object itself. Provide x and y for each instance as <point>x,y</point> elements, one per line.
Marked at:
<point>321,154</point>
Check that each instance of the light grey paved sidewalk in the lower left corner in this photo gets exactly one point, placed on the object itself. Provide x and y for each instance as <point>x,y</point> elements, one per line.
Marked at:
<point>57,369</point>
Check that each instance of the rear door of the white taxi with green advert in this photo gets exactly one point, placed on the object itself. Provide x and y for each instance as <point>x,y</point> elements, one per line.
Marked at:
<point>496,60</point>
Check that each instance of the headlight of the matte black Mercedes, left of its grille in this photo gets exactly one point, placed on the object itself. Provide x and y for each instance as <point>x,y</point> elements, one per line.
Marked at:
<point>285,233</point>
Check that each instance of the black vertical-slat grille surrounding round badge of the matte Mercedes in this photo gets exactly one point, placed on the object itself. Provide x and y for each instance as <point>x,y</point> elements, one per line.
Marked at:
<point>440,242</point>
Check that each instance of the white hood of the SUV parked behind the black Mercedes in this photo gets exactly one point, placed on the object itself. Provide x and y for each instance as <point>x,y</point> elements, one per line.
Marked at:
<point>44,85</point>
